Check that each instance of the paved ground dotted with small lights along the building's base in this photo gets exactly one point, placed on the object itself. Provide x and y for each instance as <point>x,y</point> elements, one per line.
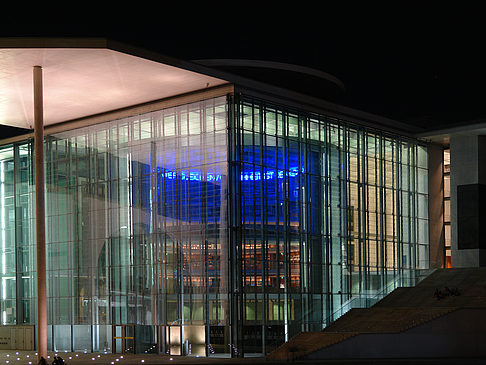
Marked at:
<point>29,358</point>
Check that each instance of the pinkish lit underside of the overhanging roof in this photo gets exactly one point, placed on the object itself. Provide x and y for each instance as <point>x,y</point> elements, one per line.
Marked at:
<point>82,82</point>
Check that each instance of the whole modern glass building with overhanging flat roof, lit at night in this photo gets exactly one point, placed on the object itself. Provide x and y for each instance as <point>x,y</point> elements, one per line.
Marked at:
<point>193,210</point>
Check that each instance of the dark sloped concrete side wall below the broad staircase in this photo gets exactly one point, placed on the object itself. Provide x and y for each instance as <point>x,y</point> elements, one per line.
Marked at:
<point>461,333</point>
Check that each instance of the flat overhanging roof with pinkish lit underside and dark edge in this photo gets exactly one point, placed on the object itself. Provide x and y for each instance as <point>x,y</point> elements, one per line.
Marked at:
<point>91,76</point>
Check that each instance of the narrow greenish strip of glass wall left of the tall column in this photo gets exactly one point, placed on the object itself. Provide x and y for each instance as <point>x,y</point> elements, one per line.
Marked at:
<point>17,235</point>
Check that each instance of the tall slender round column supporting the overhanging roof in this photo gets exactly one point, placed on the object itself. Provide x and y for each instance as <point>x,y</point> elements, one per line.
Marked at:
<point>40,214</point>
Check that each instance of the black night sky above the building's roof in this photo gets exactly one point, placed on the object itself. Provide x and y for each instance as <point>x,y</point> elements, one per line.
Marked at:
<point>424,66</point>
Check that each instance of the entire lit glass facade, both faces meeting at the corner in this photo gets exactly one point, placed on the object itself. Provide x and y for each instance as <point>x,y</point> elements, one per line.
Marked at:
<point>222,226</point>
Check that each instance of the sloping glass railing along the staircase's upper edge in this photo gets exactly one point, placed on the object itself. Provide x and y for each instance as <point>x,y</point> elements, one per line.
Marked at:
<point>370,298</point>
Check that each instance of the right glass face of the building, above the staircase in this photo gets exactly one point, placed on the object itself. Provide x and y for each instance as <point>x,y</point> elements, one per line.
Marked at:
<point>324,212</point>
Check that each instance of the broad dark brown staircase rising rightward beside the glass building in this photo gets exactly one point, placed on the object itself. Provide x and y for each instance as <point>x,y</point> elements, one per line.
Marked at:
<point>401,310</point>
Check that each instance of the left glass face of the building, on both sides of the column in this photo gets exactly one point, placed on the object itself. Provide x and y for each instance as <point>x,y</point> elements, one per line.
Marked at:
<point>136,232</point>
